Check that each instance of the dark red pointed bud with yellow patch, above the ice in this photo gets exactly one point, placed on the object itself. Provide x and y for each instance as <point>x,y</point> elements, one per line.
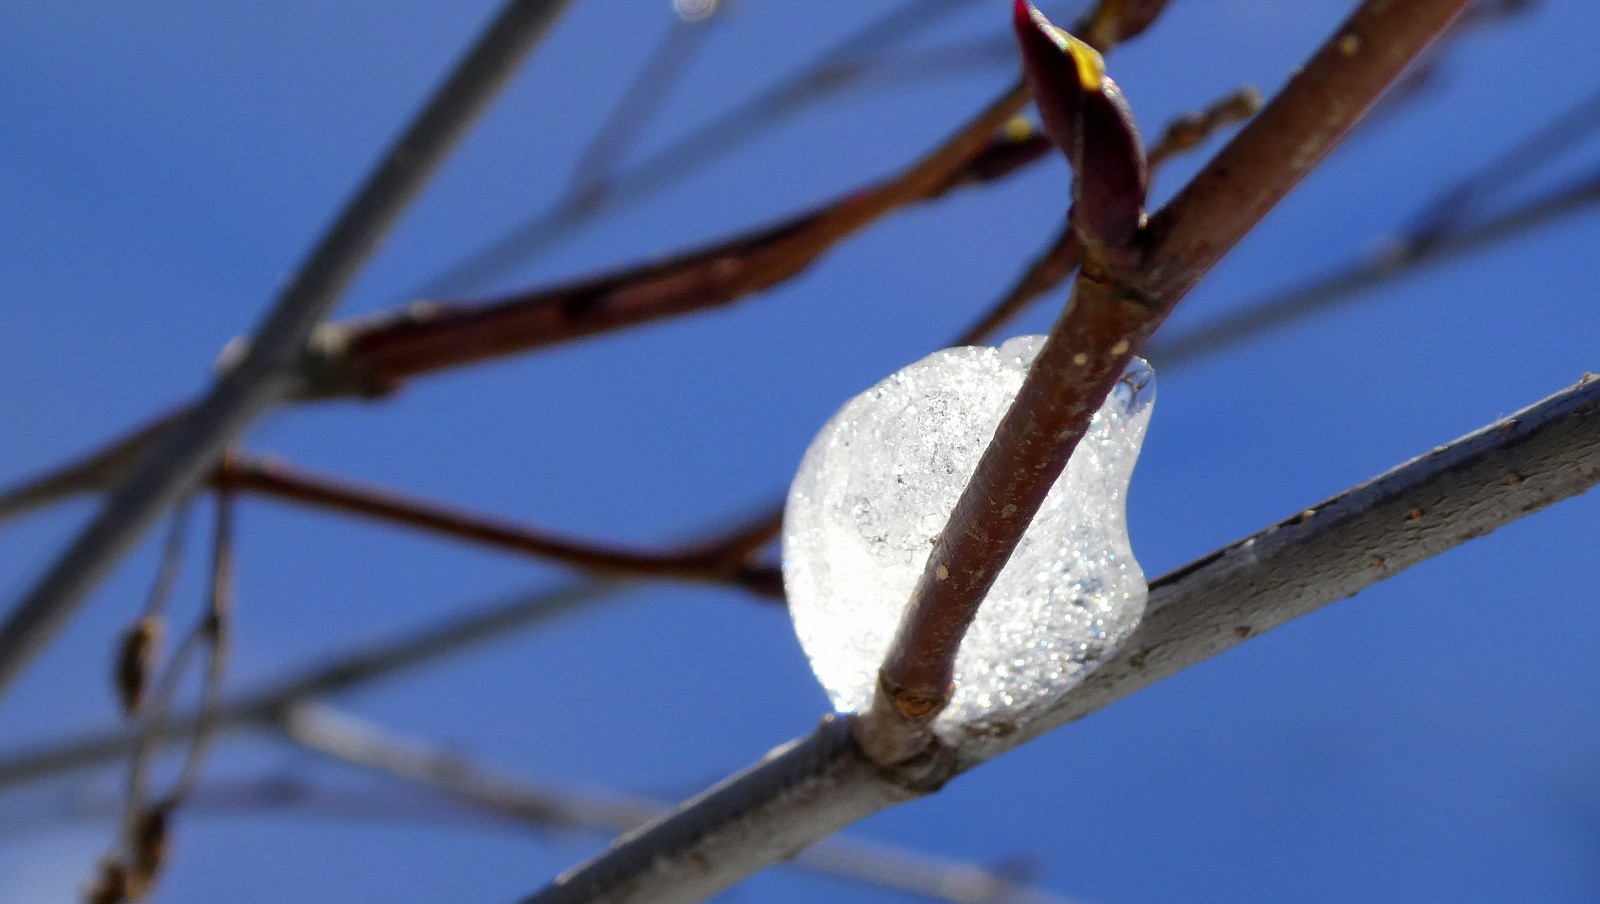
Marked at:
<point>1086,114</point>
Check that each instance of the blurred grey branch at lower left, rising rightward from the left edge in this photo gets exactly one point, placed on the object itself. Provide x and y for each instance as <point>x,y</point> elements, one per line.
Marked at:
<point>258,708</point>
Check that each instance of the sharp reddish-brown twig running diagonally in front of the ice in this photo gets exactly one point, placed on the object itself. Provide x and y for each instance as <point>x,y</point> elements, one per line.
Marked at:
<point>1118,303</point>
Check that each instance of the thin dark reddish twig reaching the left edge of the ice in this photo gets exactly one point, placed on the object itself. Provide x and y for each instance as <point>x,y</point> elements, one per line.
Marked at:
<point>716,561</point>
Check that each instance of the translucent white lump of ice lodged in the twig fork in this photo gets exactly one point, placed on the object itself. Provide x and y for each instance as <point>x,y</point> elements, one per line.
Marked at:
<point>879,484</point>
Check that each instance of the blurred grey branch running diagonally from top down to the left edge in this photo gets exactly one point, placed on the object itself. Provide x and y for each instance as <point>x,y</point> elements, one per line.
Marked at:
<point>270,370</point>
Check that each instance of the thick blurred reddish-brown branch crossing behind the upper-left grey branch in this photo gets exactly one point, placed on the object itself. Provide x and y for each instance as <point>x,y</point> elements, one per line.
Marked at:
<point>374,356</point>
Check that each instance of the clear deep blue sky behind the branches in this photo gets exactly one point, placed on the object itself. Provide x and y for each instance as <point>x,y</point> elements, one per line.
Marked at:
<point>162,167</point>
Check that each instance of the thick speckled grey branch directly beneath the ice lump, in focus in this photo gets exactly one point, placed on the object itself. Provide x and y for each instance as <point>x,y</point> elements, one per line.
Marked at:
<point>817,786</point>
